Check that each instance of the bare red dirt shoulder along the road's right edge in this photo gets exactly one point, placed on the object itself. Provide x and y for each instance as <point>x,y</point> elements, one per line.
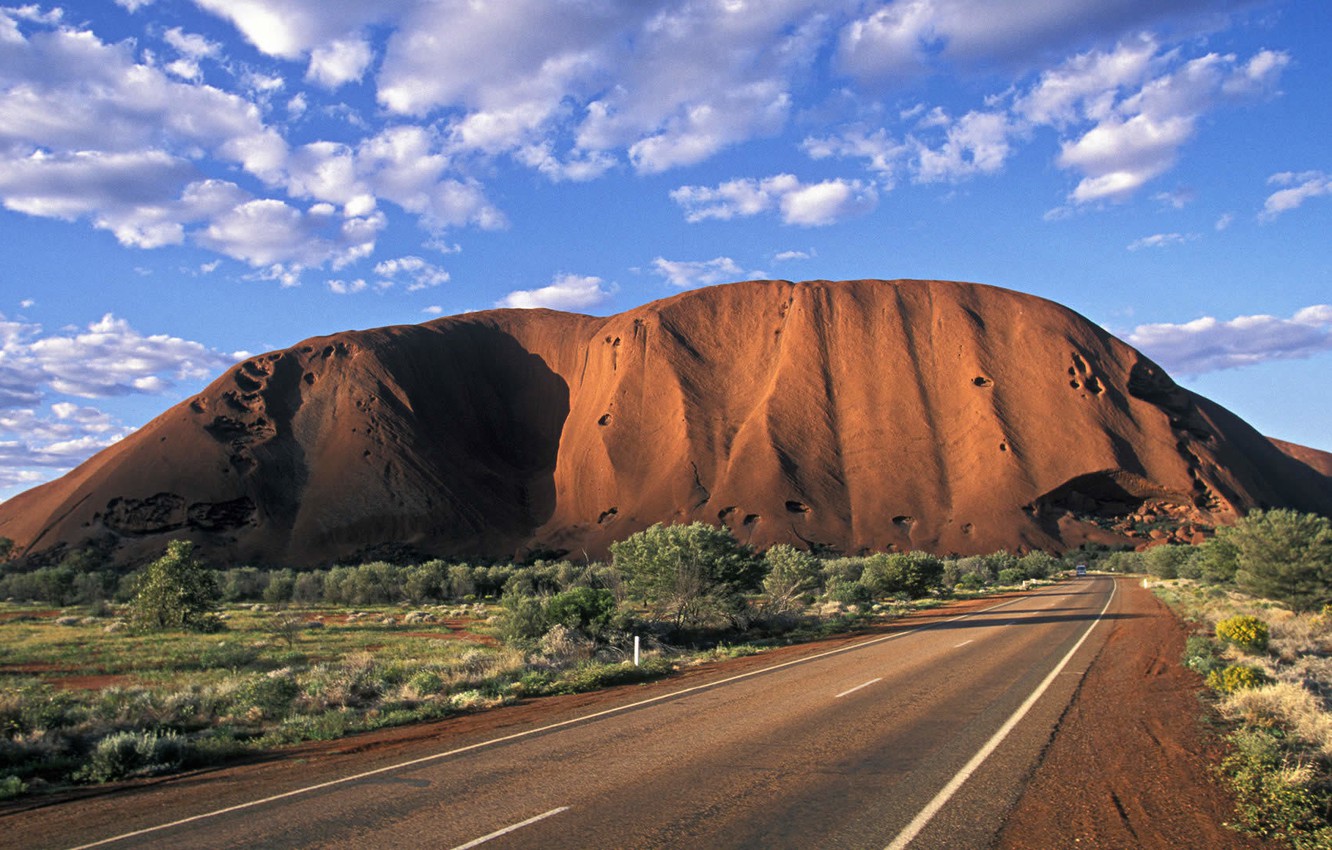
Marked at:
<point>1132,764</point>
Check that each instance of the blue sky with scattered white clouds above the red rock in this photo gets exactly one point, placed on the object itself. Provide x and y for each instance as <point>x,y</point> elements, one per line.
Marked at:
<point>184,183</point>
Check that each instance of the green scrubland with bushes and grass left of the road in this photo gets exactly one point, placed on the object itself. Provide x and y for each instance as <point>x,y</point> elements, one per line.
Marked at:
<point>114,676</point>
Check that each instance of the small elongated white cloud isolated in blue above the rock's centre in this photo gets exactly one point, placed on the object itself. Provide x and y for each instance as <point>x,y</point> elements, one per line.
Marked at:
<point>801,205</point>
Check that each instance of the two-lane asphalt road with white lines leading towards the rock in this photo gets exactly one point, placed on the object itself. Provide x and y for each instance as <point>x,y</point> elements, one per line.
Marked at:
<point>840,749</point>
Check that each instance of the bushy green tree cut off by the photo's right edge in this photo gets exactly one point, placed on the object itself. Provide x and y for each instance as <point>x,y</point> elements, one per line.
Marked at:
<point>1283,555</point>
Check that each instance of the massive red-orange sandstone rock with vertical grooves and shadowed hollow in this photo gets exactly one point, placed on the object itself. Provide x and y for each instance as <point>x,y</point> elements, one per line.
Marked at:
<point>857,415</point>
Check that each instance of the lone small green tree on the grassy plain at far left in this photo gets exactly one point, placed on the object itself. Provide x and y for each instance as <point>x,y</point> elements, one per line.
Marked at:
<point>175,592</point>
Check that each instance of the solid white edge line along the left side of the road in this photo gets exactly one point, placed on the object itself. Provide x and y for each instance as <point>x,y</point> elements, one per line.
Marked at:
<point>536,732</point>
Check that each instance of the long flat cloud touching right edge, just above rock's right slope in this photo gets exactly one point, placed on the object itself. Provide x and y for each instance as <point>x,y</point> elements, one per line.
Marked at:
<point>1209,344</point>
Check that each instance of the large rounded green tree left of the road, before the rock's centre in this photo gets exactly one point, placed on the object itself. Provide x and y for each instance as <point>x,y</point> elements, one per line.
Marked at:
<point>688,574</point>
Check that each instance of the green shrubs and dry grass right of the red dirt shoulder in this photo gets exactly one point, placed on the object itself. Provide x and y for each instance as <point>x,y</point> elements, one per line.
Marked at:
<point>1259,596</point>
